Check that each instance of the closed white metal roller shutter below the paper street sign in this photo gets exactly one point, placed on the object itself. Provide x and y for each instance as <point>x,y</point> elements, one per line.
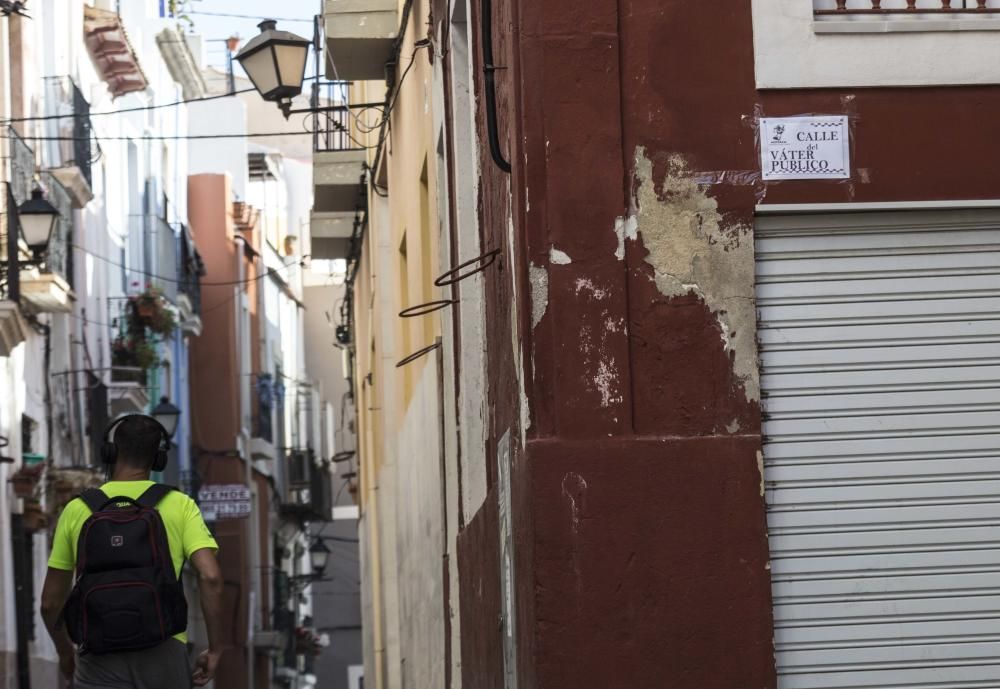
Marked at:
<point>880,349</point>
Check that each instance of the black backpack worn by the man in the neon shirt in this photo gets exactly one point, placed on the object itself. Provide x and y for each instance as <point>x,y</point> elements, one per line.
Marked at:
<point>127,596</point>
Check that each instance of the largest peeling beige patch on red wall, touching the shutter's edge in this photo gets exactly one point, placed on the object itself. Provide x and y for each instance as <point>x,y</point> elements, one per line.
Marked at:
<point>693,250</point>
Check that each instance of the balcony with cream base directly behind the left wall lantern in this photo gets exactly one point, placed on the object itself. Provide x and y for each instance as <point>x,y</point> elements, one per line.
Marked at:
<point>48,288</point>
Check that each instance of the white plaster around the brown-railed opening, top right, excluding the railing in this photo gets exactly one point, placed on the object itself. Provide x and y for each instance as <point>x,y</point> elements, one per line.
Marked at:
<point>790,53</point>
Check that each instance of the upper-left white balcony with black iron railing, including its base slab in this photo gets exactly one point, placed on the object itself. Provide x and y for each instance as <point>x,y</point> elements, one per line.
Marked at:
<point>68,153</point>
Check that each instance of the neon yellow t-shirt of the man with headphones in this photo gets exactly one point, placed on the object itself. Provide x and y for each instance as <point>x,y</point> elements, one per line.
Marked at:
<point>186,529</point>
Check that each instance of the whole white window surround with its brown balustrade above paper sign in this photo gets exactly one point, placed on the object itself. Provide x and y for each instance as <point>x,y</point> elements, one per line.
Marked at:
<point>869,43</point>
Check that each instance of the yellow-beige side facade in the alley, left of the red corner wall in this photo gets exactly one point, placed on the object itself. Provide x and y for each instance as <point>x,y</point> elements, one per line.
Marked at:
<point>399,408</point>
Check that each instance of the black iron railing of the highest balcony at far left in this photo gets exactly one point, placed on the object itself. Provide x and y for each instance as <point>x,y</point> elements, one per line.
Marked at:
<point>69,135</point>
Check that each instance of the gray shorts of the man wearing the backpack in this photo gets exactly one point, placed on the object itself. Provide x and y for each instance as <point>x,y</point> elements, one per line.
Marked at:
<point>163,667</point>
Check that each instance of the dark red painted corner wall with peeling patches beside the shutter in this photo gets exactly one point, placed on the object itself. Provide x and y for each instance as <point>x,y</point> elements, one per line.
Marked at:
<point>640,527</point>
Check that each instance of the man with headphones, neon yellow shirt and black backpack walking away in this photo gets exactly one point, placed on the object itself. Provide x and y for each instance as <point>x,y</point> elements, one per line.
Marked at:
<point>126,611</point>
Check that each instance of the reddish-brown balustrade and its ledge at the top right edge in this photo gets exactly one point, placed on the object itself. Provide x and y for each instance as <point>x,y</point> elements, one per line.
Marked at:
<point>888,16</point>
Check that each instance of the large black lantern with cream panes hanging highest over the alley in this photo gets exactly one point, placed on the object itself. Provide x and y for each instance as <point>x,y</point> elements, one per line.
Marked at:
<point>275,61</point>
